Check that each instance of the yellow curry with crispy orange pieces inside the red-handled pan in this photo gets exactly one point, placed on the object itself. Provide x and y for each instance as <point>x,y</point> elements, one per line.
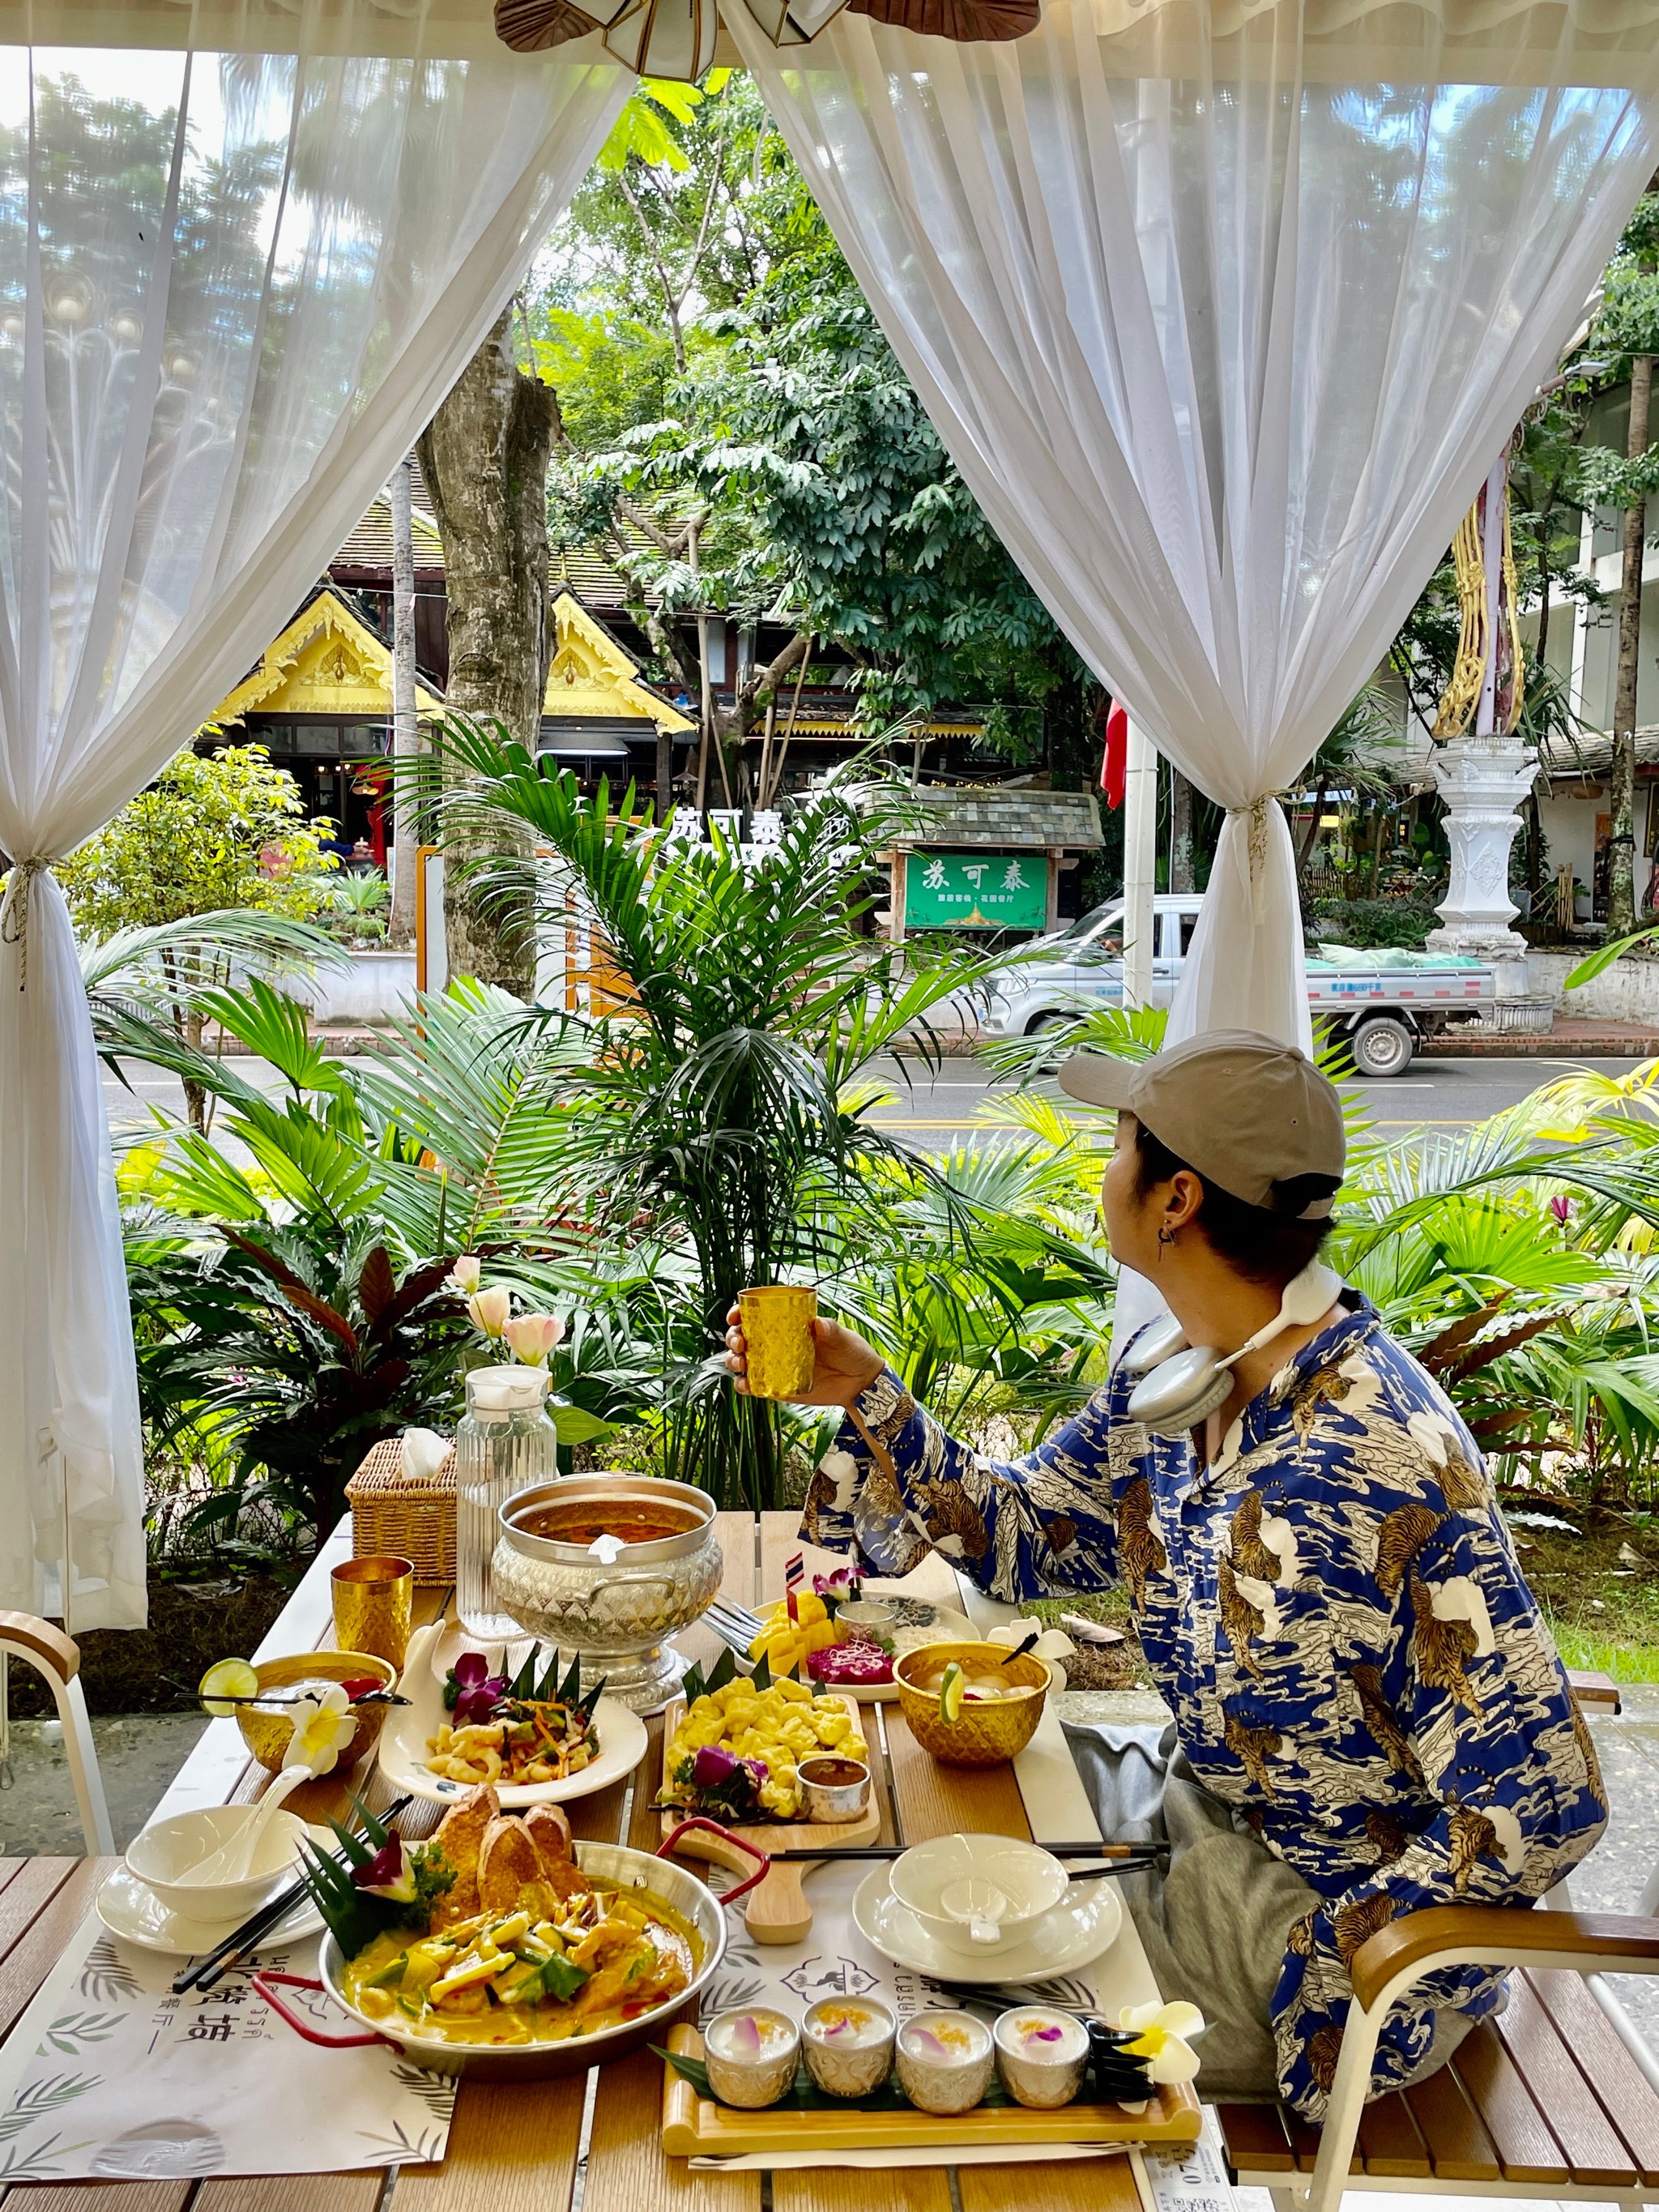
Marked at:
<point>499,1939</point>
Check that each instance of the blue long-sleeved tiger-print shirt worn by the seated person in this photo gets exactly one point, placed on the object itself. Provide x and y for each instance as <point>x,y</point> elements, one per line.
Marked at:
<point>1335,1616</point>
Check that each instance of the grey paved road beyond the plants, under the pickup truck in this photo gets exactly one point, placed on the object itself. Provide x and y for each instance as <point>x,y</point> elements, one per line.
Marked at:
<point>939,1109</point>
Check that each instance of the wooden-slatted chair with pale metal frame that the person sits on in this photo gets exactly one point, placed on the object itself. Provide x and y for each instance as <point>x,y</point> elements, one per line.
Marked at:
<point>1554,2098</point>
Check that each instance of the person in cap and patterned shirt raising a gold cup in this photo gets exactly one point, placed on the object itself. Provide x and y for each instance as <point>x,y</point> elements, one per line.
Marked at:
<point>1368,1709</point>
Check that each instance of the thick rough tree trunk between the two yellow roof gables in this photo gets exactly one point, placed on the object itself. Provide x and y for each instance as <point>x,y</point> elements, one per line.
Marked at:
<point>486,463</point>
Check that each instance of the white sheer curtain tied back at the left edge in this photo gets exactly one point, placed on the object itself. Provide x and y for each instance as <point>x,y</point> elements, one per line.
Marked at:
<point>233,284</point>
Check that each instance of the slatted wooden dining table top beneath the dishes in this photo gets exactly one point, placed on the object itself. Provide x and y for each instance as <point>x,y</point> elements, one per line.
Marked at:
<point>517,2149</point>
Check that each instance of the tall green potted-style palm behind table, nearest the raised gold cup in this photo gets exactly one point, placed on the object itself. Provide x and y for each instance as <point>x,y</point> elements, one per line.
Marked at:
<point>722,1103</point>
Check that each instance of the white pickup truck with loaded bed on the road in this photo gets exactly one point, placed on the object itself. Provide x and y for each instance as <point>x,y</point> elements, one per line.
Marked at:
<point>1381,1005</point>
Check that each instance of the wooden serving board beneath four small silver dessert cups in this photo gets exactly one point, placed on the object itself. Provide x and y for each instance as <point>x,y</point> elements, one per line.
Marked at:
<point>700,2129</point>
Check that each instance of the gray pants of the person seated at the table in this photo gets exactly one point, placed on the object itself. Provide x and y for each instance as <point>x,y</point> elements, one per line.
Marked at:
<point>1215,1926</point>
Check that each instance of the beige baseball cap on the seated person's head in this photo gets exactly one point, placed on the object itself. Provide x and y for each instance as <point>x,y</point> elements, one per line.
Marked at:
<point>1246,1112</point>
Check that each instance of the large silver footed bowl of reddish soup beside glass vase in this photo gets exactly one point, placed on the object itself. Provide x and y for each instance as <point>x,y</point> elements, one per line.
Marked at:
<point>612,1605</point>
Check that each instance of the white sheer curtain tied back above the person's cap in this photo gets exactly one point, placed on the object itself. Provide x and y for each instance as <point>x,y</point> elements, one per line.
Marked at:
<point>1224,320</point>
